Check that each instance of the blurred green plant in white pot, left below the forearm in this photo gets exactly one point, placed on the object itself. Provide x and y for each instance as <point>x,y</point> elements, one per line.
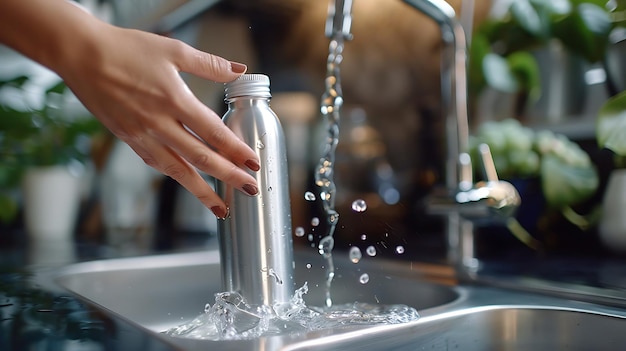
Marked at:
<point>44,137</point>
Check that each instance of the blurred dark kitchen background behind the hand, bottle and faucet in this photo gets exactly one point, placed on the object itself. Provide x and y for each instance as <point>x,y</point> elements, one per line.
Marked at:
<point>539,73</point>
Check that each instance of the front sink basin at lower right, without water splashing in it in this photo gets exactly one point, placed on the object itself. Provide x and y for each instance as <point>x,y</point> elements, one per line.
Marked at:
<point>493,328</point>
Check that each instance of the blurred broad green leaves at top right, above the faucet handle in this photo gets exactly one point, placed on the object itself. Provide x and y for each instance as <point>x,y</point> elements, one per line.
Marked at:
<point>500,53</point>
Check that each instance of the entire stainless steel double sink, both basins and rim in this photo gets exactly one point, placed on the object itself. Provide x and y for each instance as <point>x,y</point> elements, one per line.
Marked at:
<point>159,292</point>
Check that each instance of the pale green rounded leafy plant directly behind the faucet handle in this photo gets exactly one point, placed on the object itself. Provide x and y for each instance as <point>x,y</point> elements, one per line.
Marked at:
<point>560,172</point>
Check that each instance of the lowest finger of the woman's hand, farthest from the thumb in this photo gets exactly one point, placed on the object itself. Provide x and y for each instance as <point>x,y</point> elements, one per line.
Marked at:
<point>172,165</point>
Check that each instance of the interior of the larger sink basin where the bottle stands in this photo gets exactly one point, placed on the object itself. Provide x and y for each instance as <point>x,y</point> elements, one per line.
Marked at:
<point>161,292</point>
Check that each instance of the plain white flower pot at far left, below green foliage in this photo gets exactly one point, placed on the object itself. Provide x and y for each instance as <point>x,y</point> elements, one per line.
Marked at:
<point>51,202</point>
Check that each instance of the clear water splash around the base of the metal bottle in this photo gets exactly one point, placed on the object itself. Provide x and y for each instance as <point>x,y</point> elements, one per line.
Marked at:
<point>230,318</point>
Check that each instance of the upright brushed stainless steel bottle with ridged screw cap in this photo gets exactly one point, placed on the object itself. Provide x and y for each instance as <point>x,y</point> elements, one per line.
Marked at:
<point>255,241</point>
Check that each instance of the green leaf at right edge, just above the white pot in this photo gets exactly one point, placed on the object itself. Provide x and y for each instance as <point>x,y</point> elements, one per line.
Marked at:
<point>611,124</point>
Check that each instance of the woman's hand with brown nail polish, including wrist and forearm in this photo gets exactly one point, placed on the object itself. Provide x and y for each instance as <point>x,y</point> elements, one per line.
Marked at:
<point>130,80</point>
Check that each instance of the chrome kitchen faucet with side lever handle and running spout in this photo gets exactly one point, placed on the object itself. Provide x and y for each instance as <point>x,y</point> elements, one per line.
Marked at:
<point>461,200</point>
